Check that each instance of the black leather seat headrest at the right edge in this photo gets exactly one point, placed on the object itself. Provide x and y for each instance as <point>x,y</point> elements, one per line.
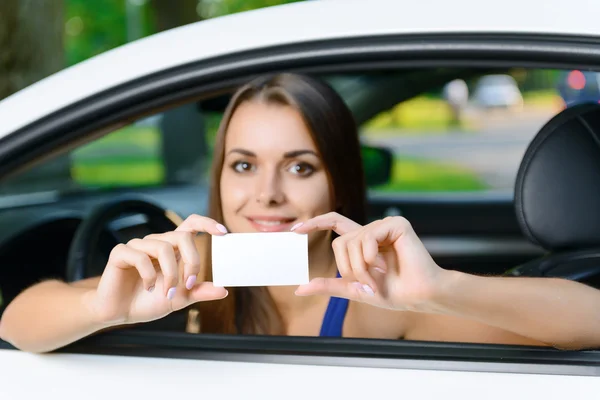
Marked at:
<point>557,190</point>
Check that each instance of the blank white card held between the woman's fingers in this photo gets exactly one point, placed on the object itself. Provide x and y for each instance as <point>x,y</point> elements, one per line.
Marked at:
<point>260,259</point>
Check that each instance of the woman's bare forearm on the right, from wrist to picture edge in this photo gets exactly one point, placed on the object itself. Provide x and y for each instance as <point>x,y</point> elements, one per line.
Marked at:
<point>556,312</point>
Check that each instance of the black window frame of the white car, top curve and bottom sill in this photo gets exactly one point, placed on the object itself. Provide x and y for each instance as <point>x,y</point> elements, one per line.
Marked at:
<point>103,113</point>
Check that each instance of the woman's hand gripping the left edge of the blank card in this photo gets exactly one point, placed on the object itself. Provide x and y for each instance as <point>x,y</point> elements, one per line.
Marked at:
<point>149,278</point>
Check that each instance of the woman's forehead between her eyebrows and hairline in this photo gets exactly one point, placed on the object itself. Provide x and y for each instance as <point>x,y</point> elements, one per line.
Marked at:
<point>260,125</point>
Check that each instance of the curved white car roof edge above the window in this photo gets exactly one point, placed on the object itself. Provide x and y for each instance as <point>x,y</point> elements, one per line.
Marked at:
<point>286,24</point>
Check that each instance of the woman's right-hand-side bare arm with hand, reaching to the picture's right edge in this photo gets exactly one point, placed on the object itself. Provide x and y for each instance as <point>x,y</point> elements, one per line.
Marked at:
<point>386,265</point>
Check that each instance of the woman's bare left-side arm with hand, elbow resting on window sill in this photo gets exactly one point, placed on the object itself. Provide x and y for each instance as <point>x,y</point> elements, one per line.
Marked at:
<point>144,280</point>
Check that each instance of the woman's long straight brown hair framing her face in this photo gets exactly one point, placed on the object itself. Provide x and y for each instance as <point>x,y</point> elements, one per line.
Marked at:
<point>333,129</point>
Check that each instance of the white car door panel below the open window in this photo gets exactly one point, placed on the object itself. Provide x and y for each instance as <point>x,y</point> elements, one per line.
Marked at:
<point>62,376</point>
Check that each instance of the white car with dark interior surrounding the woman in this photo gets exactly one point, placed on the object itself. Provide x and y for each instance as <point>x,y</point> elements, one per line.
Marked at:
<point>66,150</point>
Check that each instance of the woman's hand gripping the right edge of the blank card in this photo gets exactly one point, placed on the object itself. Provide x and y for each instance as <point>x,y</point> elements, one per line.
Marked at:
<point>383,263</point>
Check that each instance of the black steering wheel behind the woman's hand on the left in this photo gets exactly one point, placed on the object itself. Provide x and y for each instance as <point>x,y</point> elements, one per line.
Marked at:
<point>80,259</point>
